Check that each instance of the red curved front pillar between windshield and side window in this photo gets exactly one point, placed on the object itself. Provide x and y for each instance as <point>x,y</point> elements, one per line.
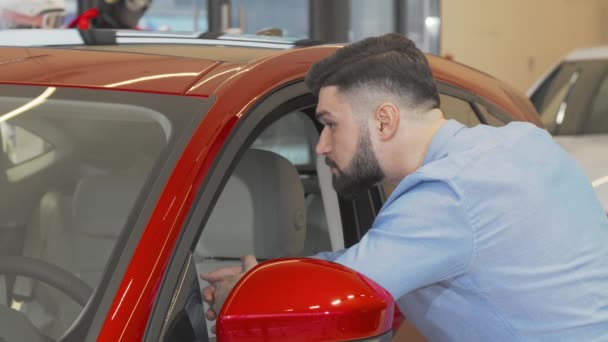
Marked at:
<point>129,314</point>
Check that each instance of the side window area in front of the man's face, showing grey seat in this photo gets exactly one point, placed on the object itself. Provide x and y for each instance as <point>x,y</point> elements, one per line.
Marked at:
<point>275,203</point>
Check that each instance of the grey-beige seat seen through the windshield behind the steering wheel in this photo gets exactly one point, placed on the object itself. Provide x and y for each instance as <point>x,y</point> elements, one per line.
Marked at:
<point>78,234</point>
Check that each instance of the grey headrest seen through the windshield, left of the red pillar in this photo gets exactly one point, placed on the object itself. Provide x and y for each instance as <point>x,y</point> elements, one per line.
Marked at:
<point>102,203</point>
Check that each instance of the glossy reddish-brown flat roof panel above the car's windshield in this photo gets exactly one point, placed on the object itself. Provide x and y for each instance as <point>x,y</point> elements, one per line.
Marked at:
<point>93,69</point>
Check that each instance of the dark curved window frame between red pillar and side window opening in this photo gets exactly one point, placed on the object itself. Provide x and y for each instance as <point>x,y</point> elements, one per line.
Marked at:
<point>289,98</point>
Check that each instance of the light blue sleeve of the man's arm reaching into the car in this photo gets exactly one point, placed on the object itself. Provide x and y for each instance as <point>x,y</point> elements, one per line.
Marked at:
<point>420,237</point>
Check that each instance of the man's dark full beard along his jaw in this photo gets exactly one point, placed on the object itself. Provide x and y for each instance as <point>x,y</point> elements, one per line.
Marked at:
<point>361,174</point>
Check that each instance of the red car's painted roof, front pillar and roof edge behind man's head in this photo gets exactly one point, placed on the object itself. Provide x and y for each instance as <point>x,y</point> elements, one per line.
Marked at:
<point>237,87</point>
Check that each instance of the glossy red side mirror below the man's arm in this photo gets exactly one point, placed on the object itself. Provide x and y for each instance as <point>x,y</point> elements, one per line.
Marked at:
<point>305,300</point>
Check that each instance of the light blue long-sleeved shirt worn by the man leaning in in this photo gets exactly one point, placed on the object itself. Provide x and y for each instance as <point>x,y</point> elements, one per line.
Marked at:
<point>498,236</point>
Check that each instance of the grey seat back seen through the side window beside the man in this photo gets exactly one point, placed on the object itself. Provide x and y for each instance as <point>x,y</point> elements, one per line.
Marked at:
<point>260,211</point>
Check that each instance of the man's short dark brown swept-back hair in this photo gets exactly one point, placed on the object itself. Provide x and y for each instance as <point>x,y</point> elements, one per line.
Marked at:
<point>390,62</point>
